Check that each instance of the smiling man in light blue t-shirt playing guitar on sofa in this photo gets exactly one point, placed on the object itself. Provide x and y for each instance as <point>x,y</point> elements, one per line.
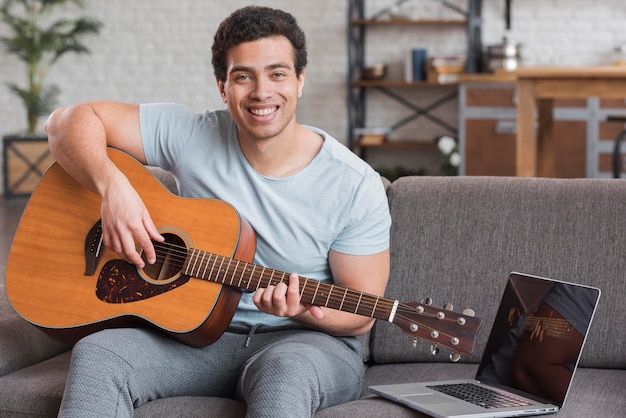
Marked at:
<point>317,210</point>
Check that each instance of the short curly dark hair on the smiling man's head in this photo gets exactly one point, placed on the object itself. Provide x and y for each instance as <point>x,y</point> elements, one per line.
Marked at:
<point>252,23</point>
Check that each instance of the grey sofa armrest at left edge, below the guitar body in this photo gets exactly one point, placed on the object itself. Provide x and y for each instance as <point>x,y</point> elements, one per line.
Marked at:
<point>22,344</point>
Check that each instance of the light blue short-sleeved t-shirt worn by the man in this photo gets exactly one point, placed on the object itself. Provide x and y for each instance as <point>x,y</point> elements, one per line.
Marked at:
<point>337,202</point>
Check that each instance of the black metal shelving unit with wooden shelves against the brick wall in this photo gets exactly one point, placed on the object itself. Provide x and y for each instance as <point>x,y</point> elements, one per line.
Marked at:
<point>399,91</point>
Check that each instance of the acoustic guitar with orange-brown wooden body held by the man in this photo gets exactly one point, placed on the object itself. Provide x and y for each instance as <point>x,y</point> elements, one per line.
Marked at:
<point>61,278</point>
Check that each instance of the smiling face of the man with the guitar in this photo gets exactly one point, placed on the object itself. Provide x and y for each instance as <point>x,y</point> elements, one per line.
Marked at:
<point>261,88</point>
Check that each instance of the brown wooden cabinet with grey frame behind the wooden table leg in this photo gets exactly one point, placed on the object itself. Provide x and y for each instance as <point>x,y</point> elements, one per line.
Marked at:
<point>487,132</point>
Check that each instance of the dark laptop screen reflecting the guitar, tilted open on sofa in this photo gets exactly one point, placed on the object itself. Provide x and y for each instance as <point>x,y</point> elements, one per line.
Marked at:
<point>538,335</point>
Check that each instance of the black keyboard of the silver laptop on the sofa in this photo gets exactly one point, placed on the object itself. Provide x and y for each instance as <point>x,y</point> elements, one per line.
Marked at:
<point>479,395</point>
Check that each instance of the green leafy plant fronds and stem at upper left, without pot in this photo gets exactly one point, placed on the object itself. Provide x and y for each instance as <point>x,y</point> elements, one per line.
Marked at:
<point>40,33</point>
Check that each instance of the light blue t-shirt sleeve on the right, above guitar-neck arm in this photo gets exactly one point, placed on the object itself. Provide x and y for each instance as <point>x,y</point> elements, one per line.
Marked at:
<point>367,230</point>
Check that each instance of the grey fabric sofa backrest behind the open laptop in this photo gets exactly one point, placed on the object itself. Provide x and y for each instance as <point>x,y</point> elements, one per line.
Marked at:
<point>456,239</point>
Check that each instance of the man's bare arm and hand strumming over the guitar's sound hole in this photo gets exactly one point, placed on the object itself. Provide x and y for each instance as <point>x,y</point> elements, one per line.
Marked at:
<point>78,137</point>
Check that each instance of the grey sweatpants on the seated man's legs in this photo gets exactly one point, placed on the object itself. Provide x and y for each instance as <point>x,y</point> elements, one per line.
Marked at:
<point>285,373</point>
